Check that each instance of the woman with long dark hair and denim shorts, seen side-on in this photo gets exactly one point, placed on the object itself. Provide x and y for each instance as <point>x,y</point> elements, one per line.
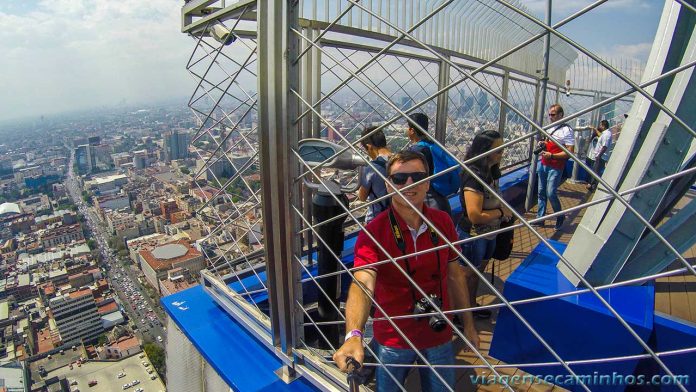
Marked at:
<point>482,211</point>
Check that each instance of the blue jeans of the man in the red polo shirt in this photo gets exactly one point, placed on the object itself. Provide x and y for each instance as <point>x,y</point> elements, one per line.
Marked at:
<point>438,355</point>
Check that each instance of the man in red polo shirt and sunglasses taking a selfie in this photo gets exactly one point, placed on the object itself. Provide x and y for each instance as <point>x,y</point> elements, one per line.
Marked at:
<point>401,231</point>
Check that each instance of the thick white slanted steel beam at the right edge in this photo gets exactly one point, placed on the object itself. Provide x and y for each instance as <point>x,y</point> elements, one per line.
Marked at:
<point>651,146</point>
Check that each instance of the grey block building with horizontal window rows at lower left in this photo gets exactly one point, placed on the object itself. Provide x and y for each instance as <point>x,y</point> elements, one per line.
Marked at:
<point>76,316</point>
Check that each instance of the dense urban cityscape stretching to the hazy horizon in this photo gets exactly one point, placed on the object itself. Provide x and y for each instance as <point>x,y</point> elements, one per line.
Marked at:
<point>103,213</point>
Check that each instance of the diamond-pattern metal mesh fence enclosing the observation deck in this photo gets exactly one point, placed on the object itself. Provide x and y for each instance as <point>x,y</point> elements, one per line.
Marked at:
<point>393,279</point>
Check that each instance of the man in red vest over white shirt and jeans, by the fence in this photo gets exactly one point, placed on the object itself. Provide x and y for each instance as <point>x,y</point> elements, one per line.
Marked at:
<point>553,160</point>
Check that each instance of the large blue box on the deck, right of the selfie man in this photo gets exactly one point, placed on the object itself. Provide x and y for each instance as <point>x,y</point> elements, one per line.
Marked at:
<point>585,331</point>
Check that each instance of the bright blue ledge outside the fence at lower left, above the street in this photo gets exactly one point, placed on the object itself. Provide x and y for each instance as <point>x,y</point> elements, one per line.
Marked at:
<point>239,359</point>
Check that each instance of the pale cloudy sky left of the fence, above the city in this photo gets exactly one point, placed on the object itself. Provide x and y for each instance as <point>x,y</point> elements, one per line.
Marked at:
<point>70,54</point>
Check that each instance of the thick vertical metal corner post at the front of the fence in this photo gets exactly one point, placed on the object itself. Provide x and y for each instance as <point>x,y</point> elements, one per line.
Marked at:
<point>278,133</point>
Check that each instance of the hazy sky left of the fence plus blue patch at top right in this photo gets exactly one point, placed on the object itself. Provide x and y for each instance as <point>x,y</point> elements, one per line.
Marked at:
<point>60,55</point>
